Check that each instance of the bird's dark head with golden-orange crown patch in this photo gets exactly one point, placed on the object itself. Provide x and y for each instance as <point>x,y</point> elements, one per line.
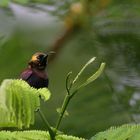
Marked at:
<point>39,61</point>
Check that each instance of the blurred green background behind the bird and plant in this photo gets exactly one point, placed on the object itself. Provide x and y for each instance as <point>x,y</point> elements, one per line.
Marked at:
<point>77,31</point>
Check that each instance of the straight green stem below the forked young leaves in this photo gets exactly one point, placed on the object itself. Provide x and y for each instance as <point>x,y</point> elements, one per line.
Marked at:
<point>63,109</point>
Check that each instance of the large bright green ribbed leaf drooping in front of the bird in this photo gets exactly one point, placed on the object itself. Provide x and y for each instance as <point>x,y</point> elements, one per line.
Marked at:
<point>18,102</point>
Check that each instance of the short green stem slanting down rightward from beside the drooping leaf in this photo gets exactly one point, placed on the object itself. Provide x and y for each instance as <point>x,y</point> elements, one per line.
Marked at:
<point>51,132</point>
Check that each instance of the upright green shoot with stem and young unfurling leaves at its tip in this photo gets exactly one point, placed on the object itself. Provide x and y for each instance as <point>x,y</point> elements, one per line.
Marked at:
<point>72,91</point>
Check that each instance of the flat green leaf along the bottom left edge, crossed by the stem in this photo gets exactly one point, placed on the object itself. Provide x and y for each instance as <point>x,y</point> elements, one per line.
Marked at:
<point>33,135</point>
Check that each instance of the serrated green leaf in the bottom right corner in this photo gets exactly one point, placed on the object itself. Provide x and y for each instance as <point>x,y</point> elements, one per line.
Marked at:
<point>124,132</point>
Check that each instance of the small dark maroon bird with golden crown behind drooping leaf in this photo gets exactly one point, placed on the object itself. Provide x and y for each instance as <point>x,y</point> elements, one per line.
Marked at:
<point>35,74</point>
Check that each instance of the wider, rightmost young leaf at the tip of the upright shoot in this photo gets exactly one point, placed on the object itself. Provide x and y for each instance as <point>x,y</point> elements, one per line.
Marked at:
<point>94,76</point>
